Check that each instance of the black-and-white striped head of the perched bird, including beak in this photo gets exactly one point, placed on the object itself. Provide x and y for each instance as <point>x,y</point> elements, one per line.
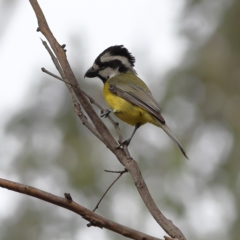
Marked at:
<point>111,62</point>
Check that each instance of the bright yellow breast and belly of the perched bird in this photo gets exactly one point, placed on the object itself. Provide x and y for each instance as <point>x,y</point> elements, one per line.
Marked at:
<point>126,111</point>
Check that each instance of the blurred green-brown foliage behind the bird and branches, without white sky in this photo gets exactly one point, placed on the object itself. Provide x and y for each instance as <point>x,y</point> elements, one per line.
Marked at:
<point>56,153</point>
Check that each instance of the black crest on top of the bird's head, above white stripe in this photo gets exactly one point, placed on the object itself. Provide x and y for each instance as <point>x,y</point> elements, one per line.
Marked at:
<point>119,50</point>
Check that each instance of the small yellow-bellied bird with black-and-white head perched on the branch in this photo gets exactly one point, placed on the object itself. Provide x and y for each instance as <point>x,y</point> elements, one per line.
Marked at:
<point>127,96</point>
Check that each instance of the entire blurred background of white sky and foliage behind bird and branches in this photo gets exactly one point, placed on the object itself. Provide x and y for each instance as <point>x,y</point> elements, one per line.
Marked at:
<point>188,52</point>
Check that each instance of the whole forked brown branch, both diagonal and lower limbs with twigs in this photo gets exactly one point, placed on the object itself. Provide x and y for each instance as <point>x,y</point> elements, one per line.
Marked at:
<point>81,101</point>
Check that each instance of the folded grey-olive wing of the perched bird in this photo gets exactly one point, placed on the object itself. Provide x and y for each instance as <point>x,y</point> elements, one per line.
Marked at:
<point>139,97</point>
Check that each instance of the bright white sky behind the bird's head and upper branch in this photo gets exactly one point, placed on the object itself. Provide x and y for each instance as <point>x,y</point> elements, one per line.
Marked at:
<point>149,29</point>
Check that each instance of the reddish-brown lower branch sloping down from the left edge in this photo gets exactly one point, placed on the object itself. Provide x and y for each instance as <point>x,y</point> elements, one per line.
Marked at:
<point>93,218</point>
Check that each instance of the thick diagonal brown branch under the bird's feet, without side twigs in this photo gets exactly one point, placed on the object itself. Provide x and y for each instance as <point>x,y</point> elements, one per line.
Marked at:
<point>121,154</point>
